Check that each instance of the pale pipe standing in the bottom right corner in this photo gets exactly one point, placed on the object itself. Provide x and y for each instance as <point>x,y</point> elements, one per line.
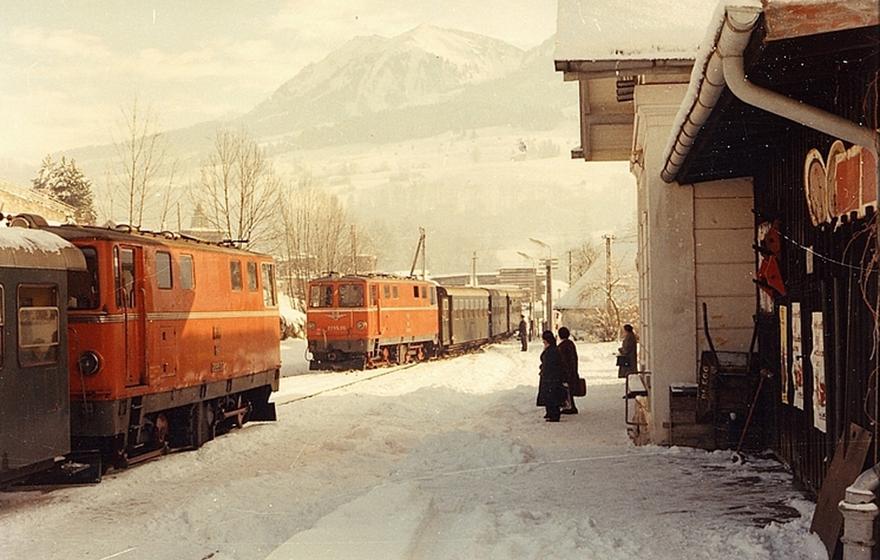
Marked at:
<point>859,511</point>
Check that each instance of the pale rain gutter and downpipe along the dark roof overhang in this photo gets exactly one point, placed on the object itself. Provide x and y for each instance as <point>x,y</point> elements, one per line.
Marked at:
<point>723,67</point>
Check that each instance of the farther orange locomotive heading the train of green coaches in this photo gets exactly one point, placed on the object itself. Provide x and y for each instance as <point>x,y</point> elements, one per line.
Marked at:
<point>365,321</point>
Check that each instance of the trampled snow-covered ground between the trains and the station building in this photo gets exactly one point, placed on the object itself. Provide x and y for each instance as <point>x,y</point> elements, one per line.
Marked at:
<point>448,460</point>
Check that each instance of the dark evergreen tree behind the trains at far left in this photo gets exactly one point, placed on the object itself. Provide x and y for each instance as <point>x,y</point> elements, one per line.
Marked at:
<point>64,182</point>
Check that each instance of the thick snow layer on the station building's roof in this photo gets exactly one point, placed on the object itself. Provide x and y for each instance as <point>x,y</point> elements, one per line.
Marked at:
<point>630,29</point>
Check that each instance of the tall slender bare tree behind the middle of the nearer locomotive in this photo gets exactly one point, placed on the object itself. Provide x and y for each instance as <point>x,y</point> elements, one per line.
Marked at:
<point>141,154</point>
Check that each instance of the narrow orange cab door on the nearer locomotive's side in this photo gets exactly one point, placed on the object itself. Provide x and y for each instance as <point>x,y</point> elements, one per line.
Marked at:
<point>129,266</point>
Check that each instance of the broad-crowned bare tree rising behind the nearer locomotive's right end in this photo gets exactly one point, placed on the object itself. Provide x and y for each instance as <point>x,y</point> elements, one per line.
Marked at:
<point>239,191</point>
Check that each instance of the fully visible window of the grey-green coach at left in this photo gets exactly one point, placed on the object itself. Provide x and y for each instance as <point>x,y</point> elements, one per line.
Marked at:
<point>37,325</point>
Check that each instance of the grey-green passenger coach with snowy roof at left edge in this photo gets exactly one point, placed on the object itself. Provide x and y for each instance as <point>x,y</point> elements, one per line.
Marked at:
<point>34,398</point>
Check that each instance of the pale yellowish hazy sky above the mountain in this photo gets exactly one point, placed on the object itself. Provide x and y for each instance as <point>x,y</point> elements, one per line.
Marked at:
<point>67,67</point>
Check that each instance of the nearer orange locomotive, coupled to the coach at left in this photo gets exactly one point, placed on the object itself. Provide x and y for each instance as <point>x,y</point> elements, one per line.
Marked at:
<point>170,340</point>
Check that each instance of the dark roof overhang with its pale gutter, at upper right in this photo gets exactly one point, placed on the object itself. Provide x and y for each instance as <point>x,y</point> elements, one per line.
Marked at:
<point>727,121</point>
